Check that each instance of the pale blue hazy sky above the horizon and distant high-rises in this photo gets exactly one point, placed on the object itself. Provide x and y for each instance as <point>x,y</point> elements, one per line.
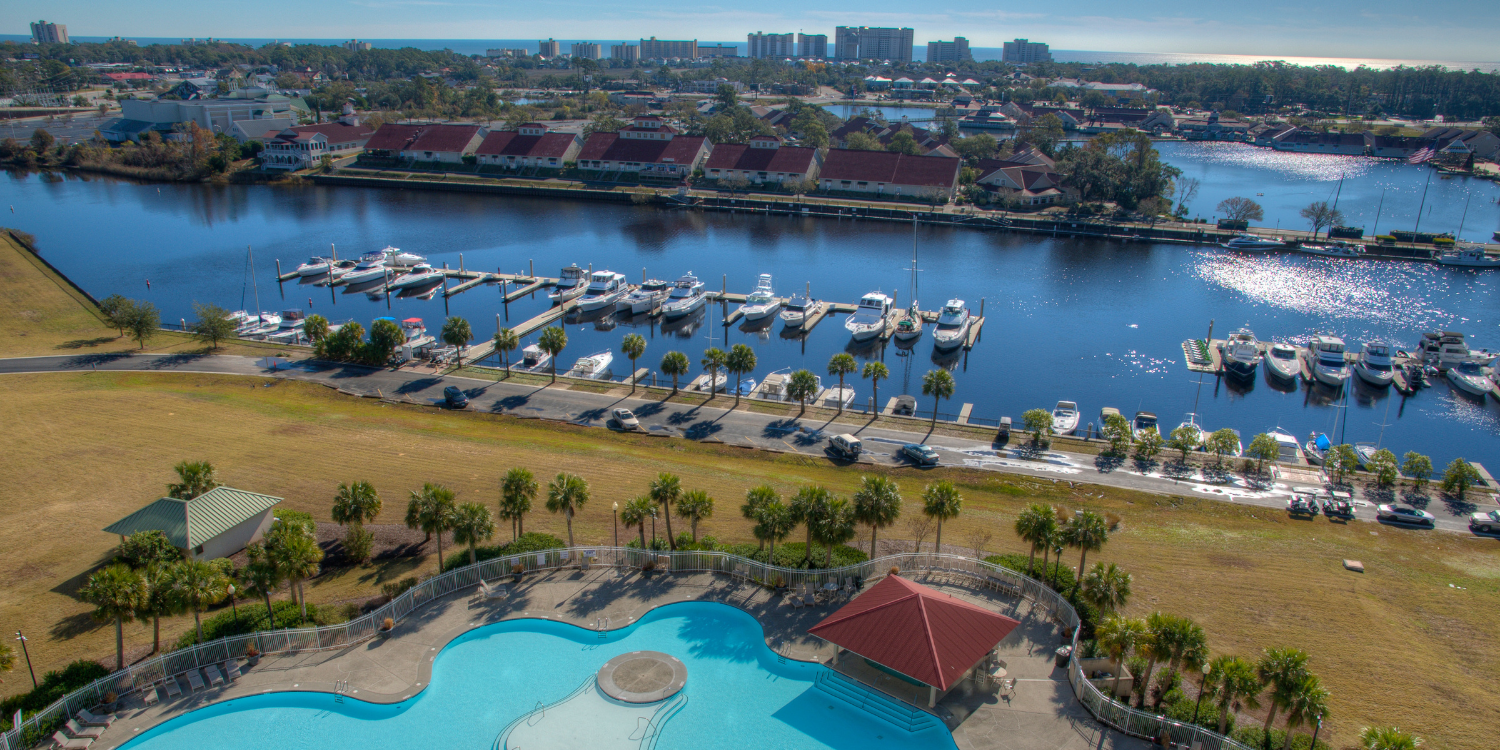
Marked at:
<point>1384,29</point>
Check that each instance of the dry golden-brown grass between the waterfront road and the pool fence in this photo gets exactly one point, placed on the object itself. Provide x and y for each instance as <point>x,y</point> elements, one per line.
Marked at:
<point>1412,641</point>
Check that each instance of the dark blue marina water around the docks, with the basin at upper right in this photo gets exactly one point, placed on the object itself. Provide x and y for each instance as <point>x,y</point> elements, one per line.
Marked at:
<point>1100,323</point>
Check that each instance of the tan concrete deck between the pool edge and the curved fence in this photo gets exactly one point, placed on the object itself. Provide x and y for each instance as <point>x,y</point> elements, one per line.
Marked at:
<point>1042,713</point>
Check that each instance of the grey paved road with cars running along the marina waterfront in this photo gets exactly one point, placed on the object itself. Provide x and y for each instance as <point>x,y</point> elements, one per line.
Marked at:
<point>718,422</point>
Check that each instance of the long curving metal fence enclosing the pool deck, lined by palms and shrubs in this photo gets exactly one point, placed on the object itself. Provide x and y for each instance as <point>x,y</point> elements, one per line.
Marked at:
<point>148,674</point>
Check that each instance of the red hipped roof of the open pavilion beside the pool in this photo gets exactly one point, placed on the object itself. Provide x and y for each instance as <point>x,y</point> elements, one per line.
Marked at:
<point>922,634</point>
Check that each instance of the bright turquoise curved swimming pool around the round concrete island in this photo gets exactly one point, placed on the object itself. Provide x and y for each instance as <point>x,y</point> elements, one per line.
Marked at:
<point>737,694</point>
